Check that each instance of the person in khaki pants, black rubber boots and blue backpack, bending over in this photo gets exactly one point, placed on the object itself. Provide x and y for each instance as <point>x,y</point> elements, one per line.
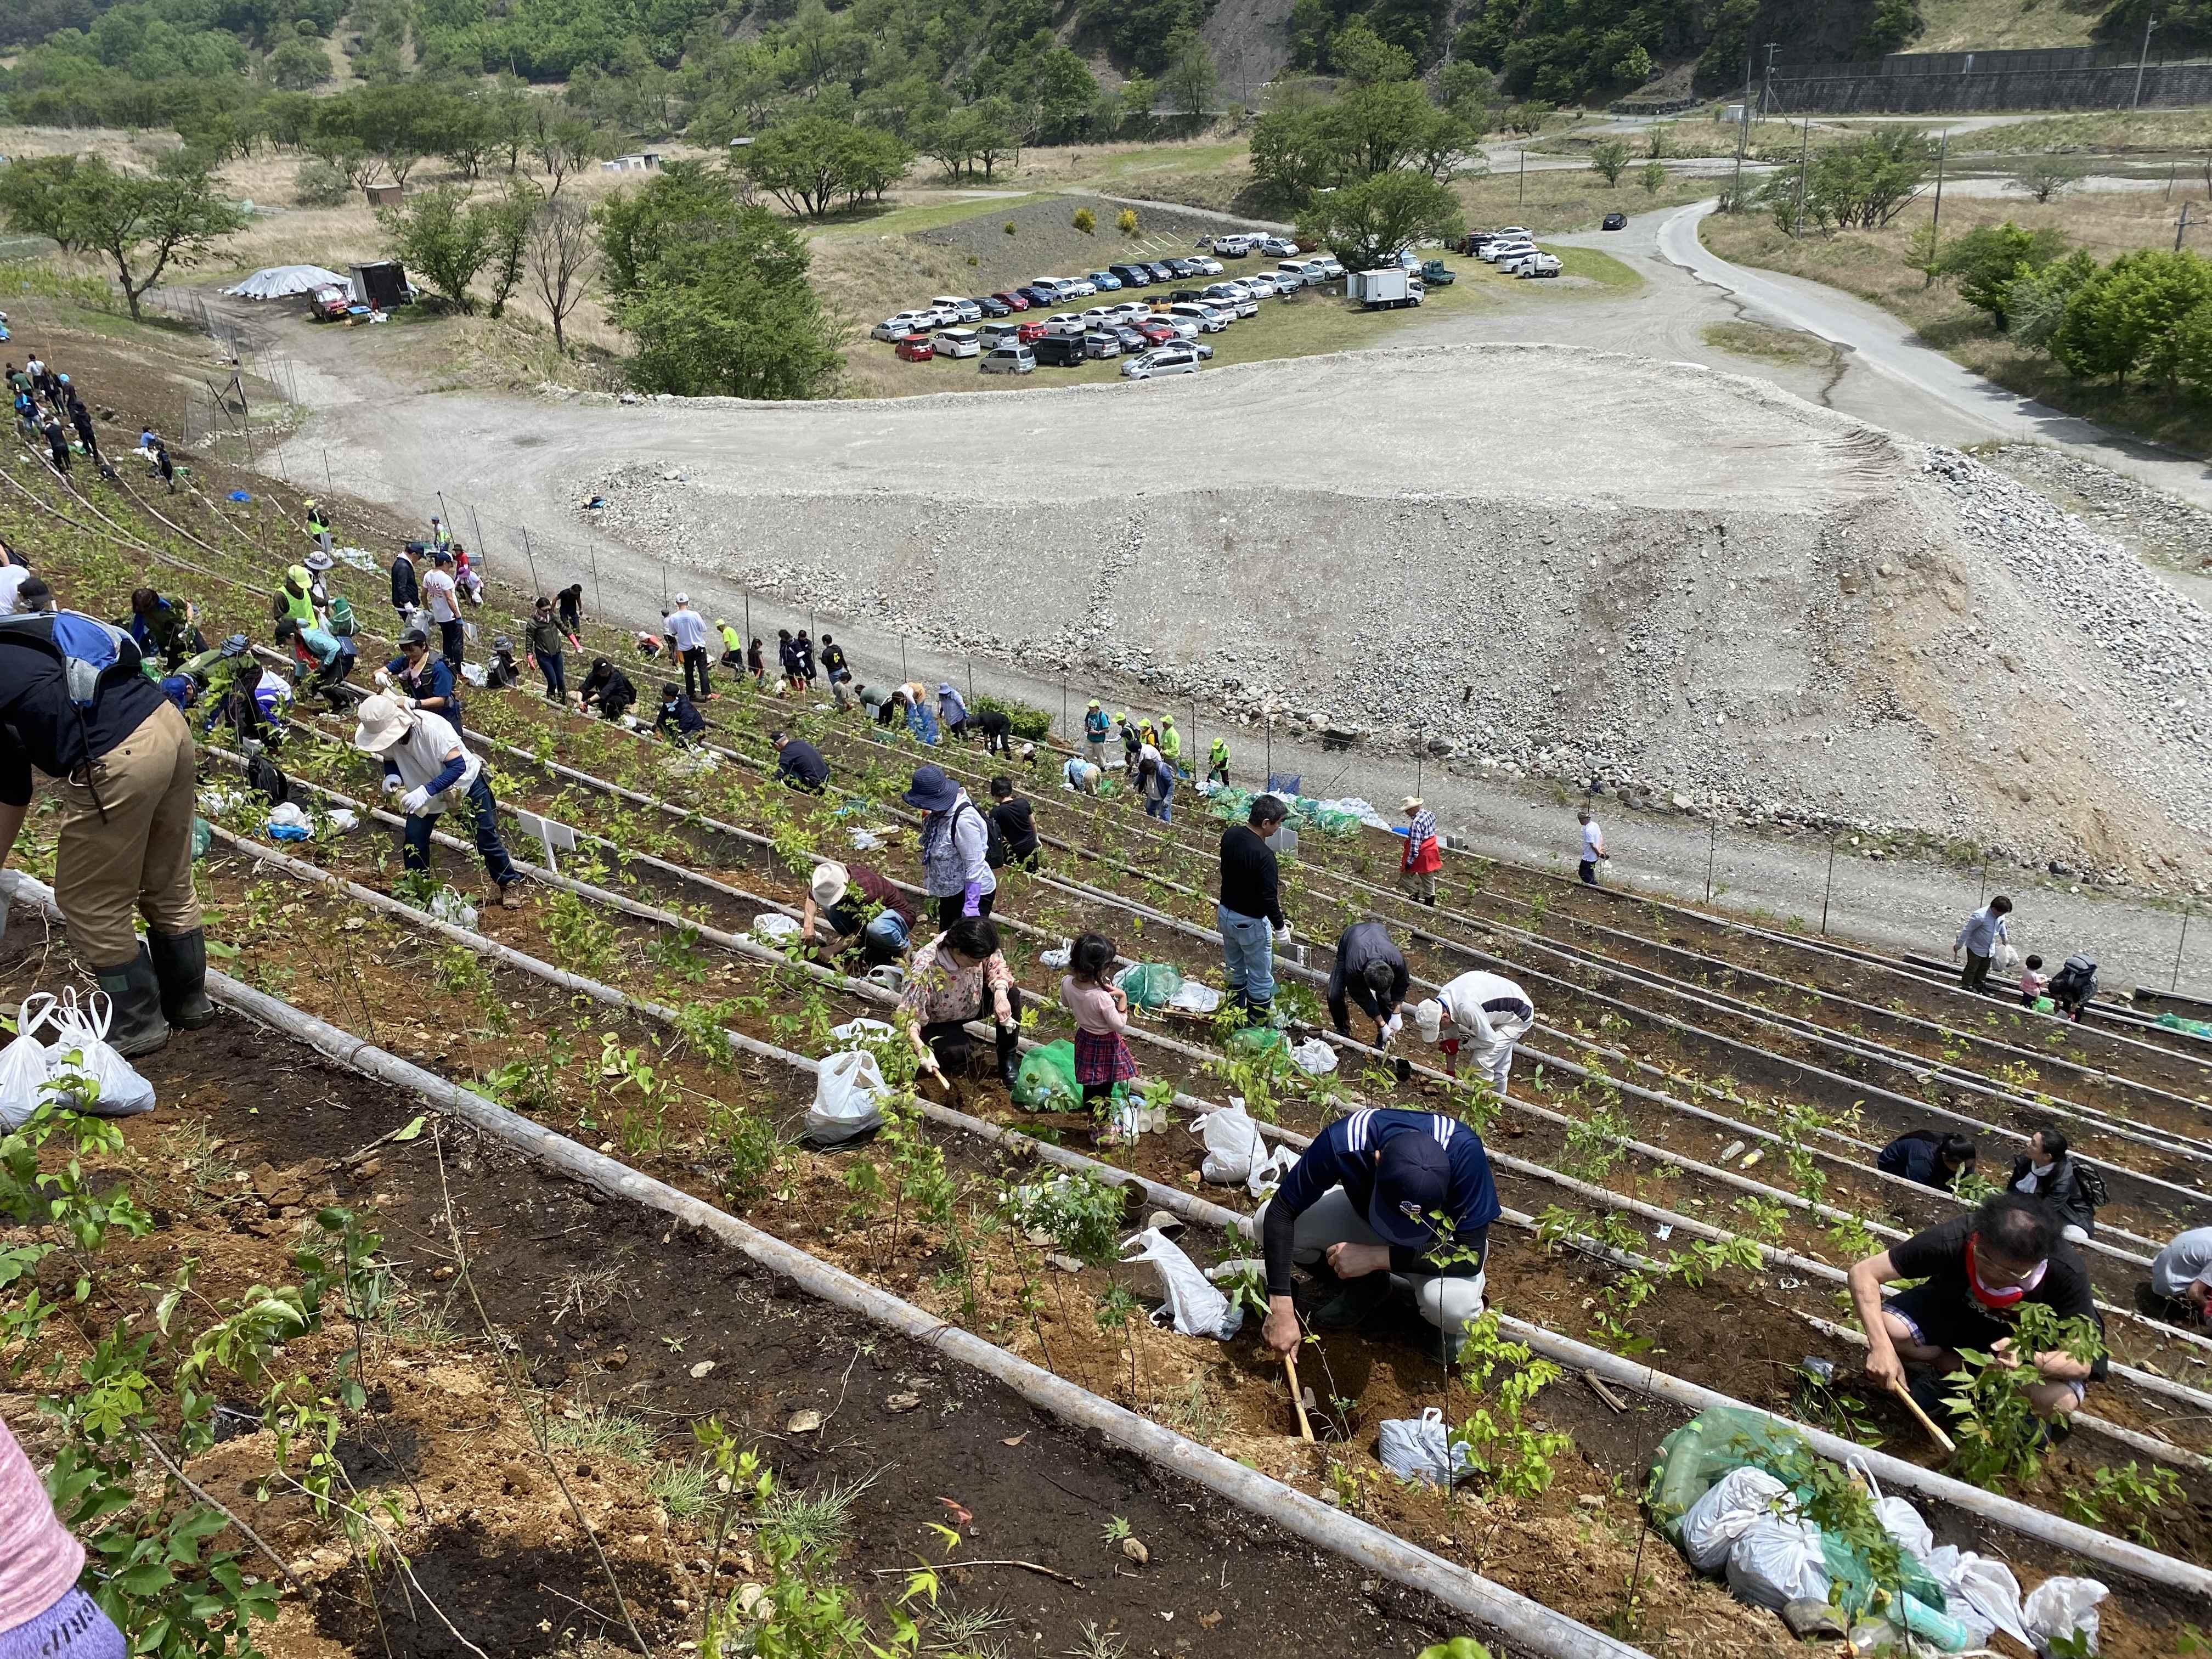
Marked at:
<point>79,707</point>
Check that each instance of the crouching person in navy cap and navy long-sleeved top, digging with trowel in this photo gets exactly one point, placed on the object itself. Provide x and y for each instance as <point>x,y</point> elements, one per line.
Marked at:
<point>1366,1209</point>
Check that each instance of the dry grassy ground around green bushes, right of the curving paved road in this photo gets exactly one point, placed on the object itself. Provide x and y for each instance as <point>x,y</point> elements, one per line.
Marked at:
<point>1872,267</point>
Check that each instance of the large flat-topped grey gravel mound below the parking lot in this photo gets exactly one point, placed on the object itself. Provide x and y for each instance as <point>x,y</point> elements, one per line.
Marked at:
<point>1678,585</point>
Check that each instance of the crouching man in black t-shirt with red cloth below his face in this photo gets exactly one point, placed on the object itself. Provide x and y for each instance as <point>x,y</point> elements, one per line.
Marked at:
<point>1976,1273</point>
